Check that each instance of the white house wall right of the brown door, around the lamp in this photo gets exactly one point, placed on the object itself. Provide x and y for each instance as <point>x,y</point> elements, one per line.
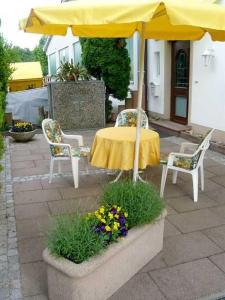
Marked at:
<point>207,93</point>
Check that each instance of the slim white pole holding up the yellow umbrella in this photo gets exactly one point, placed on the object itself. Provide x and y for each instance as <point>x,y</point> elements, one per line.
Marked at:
<point>139,105</point>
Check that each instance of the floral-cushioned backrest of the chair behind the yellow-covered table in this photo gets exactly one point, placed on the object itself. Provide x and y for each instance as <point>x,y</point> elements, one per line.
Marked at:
<point>128,117</point>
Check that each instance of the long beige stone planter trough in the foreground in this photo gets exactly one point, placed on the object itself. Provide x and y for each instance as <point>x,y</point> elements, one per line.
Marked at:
<point>101,276</point>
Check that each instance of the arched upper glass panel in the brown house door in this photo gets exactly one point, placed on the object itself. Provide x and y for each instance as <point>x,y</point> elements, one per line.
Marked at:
<point>181,69</point>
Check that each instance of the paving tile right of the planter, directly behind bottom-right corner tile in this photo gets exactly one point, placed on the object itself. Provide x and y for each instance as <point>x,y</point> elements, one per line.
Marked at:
<point>187,247</point>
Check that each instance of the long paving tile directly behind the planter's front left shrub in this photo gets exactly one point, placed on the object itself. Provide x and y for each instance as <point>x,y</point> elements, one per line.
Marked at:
<point>82,204</point>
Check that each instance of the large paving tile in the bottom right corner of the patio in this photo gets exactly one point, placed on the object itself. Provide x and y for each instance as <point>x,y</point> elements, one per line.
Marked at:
<point>190,280</point>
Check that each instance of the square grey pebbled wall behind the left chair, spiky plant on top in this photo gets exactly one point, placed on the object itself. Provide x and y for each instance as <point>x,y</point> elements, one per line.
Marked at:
<point>77,105</point>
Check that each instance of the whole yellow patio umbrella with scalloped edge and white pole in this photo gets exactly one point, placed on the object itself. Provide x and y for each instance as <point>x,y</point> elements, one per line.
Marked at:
<point>153,19</point>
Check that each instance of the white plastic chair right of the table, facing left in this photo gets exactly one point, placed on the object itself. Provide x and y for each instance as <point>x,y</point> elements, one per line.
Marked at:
<point>187,163</point>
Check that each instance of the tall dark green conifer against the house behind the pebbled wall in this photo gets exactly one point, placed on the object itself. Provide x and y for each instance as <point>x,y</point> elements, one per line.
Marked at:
<point>108,59</point>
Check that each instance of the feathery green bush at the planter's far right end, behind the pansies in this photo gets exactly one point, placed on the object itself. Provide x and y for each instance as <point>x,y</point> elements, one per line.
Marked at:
<point>140,200</point>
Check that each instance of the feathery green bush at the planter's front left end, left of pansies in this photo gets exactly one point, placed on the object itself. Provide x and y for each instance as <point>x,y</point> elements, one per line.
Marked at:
<point>72,237</point>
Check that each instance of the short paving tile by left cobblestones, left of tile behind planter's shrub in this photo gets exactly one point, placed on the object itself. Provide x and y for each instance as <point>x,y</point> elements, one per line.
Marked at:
<point>29,211</point>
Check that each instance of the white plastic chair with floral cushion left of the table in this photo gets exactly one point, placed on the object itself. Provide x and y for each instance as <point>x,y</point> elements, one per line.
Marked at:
<point>61,151</point>
